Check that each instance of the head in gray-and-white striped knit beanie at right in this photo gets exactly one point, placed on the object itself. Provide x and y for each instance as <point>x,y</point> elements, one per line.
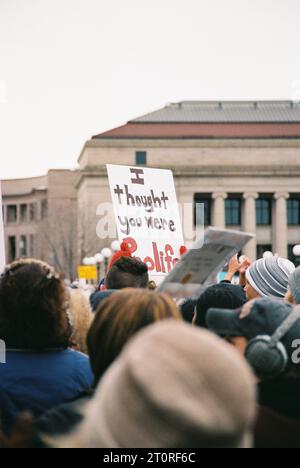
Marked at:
<point>268,277</point>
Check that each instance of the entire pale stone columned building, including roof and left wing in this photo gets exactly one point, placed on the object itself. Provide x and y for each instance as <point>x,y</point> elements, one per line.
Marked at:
<point>241,159</point>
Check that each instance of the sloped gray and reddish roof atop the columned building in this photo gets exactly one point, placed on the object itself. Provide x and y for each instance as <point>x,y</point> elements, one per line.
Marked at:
<point>212,119</point>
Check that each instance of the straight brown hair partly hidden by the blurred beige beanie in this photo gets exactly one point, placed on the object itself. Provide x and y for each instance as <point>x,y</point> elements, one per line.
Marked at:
<point>119,317</point>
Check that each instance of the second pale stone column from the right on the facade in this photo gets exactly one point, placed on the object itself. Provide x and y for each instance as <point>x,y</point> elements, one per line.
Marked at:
<point>249,222</point>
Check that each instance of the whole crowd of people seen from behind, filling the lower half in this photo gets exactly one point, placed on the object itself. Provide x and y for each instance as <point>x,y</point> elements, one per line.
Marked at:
<point>130,367</point>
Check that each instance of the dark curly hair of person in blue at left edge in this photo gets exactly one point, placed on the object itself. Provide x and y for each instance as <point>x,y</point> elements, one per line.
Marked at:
<point>33,307</point>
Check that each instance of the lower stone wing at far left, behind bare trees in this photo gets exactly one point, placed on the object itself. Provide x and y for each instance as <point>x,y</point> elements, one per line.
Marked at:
<point>40,219</point>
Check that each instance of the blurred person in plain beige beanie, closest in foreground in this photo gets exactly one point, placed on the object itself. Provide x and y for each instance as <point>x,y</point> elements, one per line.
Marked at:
<point>173,386</point>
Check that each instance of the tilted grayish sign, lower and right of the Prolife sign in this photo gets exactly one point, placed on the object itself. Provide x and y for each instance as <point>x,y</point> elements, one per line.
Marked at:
<point>200,265</point>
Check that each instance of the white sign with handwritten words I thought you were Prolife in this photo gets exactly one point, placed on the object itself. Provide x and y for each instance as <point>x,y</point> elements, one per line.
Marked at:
<point>147,215</point>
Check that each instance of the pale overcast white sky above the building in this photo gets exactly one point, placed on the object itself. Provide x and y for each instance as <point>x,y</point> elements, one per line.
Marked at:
<point>73,68</point>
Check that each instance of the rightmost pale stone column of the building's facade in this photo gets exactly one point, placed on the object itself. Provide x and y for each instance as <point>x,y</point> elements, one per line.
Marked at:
<point>280,224</point>
